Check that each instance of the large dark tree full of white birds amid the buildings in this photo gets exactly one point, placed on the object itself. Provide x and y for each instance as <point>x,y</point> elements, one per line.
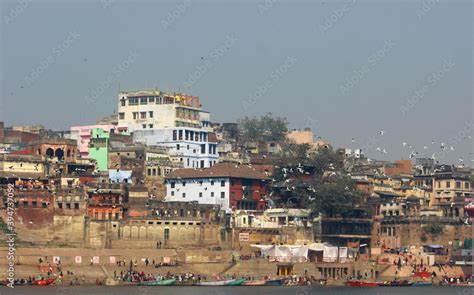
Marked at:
<point>316,180</point>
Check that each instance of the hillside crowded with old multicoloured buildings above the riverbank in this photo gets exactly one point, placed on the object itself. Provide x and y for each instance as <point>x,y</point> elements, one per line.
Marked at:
<point>160,174</point>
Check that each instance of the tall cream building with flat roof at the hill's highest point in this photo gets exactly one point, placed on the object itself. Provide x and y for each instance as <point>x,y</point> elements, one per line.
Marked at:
<point>151,109</point>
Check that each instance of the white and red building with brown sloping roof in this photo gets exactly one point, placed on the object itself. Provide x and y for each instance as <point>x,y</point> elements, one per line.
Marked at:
<point>227,185</point>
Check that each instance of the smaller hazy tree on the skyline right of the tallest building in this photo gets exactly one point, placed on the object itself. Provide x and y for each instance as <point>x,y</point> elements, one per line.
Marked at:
<point>265,128</point>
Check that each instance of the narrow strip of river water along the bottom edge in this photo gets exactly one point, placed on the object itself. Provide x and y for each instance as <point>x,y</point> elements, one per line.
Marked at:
<point>241,290</point>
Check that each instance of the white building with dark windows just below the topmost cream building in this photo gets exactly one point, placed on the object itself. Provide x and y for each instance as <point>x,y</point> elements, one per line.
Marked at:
<point>194,147</point>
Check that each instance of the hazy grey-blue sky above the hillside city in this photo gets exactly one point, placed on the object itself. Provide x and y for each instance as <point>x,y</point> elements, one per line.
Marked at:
<point>346,69</point>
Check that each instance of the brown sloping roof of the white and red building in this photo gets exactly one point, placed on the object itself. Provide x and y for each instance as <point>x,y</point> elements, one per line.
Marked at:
<point>218,170</point>
